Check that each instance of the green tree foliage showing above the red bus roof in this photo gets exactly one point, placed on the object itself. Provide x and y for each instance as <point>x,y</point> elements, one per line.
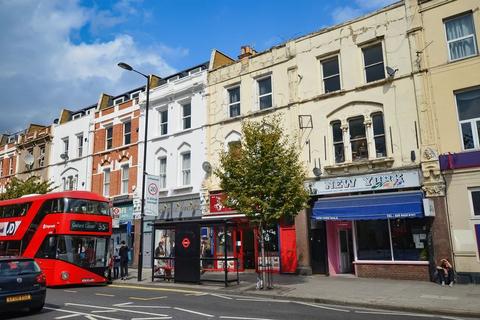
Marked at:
<point>32,185</point>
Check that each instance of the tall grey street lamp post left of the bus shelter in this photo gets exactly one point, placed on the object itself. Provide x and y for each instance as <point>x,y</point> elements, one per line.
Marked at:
<point>144,170</point>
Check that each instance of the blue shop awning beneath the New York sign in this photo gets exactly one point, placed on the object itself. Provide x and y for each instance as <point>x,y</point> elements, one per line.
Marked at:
<point>370,207</point>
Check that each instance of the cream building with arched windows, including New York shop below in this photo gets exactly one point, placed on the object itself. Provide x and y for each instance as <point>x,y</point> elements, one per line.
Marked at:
<point>348,93</point>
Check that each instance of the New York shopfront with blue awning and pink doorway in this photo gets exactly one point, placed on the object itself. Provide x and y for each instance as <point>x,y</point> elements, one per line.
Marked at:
<point>376,225</point>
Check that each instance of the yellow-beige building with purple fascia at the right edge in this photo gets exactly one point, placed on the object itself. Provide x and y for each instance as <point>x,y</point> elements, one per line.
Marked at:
<point>449,58</point>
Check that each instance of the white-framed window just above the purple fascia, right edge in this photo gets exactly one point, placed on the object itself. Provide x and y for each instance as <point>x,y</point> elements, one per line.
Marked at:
<point>468,105</point>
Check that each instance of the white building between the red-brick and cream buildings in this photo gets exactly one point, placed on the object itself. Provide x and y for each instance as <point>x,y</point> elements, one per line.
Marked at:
<point>175,150</point>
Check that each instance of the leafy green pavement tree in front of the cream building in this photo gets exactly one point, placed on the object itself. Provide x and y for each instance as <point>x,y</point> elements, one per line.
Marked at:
<point>262,176</point>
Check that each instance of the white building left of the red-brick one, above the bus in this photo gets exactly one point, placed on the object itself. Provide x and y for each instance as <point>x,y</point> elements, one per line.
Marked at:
<point>72,148</point>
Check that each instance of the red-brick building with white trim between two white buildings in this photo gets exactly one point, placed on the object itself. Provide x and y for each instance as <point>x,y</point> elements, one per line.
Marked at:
<point>115,160</point>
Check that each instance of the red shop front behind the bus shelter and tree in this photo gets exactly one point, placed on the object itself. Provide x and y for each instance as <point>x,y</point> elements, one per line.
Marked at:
<point>242,241</point>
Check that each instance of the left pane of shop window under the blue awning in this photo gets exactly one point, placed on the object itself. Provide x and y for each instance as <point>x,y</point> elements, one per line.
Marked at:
<point>373,241</point>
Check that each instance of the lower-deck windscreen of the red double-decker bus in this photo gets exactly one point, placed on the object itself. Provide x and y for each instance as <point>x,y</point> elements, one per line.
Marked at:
<point>84,251</point>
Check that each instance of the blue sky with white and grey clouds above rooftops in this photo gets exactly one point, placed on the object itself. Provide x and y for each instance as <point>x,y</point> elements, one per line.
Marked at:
<point>58,54</point>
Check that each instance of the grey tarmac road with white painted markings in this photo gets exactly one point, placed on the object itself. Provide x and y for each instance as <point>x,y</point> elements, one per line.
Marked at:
<point>117,302</point>
